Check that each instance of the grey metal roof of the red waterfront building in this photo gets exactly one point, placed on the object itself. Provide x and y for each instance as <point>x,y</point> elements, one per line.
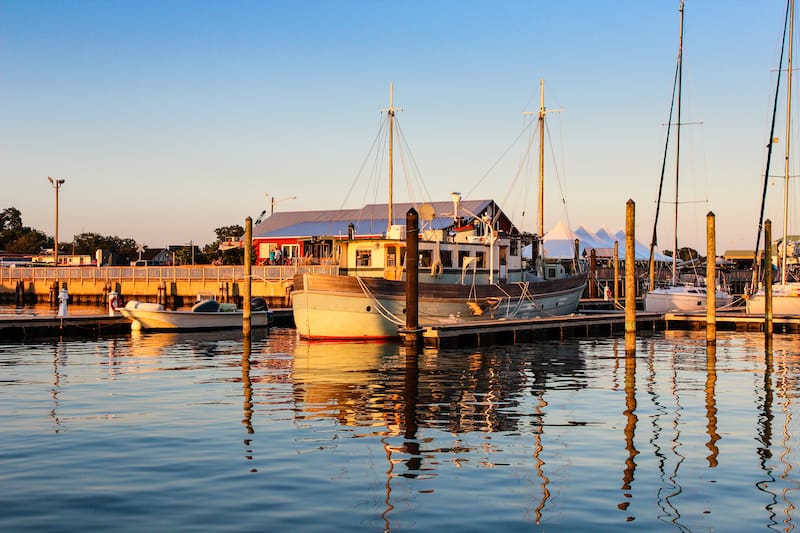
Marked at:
<point>372,219</point>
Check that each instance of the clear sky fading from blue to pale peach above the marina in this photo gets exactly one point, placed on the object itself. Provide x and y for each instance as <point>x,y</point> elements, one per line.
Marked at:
<point>171,119</point>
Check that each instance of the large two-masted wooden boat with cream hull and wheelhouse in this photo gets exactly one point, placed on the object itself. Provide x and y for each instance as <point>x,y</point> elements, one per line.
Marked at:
<point>471,268</point>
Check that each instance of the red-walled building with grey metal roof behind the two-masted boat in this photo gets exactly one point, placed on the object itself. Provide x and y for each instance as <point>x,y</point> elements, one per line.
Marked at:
<point>291,237</point>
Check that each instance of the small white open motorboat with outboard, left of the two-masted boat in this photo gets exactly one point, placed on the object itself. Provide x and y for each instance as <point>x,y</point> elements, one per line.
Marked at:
<point>204,315</point>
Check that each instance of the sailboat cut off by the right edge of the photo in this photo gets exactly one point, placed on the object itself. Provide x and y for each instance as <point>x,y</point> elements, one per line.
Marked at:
<point>785,291</point>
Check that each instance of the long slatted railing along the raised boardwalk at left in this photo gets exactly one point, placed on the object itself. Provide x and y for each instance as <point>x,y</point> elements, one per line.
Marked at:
<point>230,273</point>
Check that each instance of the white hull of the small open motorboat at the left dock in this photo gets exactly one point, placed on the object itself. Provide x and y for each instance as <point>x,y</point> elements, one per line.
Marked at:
<point>149,317</point>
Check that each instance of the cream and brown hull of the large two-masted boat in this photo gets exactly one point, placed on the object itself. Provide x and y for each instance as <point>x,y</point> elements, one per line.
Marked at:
<point>331,307</point>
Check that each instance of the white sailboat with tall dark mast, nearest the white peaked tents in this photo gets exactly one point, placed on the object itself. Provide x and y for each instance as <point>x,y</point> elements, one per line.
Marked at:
<point>678,296</point>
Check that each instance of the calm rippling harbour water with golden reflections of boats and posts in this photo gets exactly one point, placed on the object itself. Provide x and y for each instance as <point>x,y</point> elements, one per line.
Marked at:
<point>205,432</point>
